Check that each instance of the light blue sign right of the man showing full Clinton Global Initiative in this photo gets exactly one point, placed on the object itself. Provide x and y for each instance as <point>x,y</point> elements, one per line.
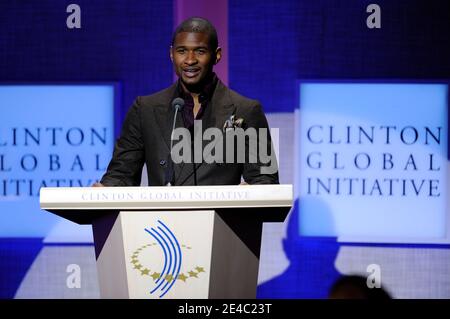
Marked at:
<point>372,161</point>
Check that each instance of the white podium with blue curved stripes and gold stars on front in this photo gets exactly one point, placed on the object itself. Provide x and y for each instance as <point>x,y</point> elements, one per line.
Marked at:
<point>174,242</point>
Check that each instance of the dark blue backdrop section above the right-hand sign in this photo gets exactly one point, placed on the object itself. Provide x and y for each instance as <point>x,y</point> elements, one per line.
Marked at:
<point>273,43</point>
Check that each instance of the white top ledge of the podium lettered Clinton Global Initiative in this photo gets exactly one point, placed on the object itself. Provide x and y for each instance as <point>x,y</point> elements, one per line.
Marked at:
<point>80,200</point>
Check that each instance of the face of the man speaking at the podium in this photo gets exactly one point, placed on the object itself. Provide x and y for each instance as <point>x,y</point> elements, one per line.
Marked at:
<point>192,58</point>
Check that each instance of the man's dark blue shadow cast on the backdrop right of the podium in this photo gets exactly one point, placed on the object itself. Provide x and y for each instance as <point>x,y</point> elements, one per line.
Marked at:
<point>311,271</point>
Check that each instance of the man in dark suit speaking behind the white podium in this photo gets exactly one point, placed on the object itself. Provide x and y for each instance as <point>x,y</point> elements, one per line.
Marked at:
<point>195,108</point>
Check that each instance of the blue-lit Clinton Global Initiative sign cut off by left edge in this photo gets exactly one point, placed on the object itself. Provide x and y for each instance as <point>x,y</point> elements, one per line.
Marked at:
<point>50,135</point>
